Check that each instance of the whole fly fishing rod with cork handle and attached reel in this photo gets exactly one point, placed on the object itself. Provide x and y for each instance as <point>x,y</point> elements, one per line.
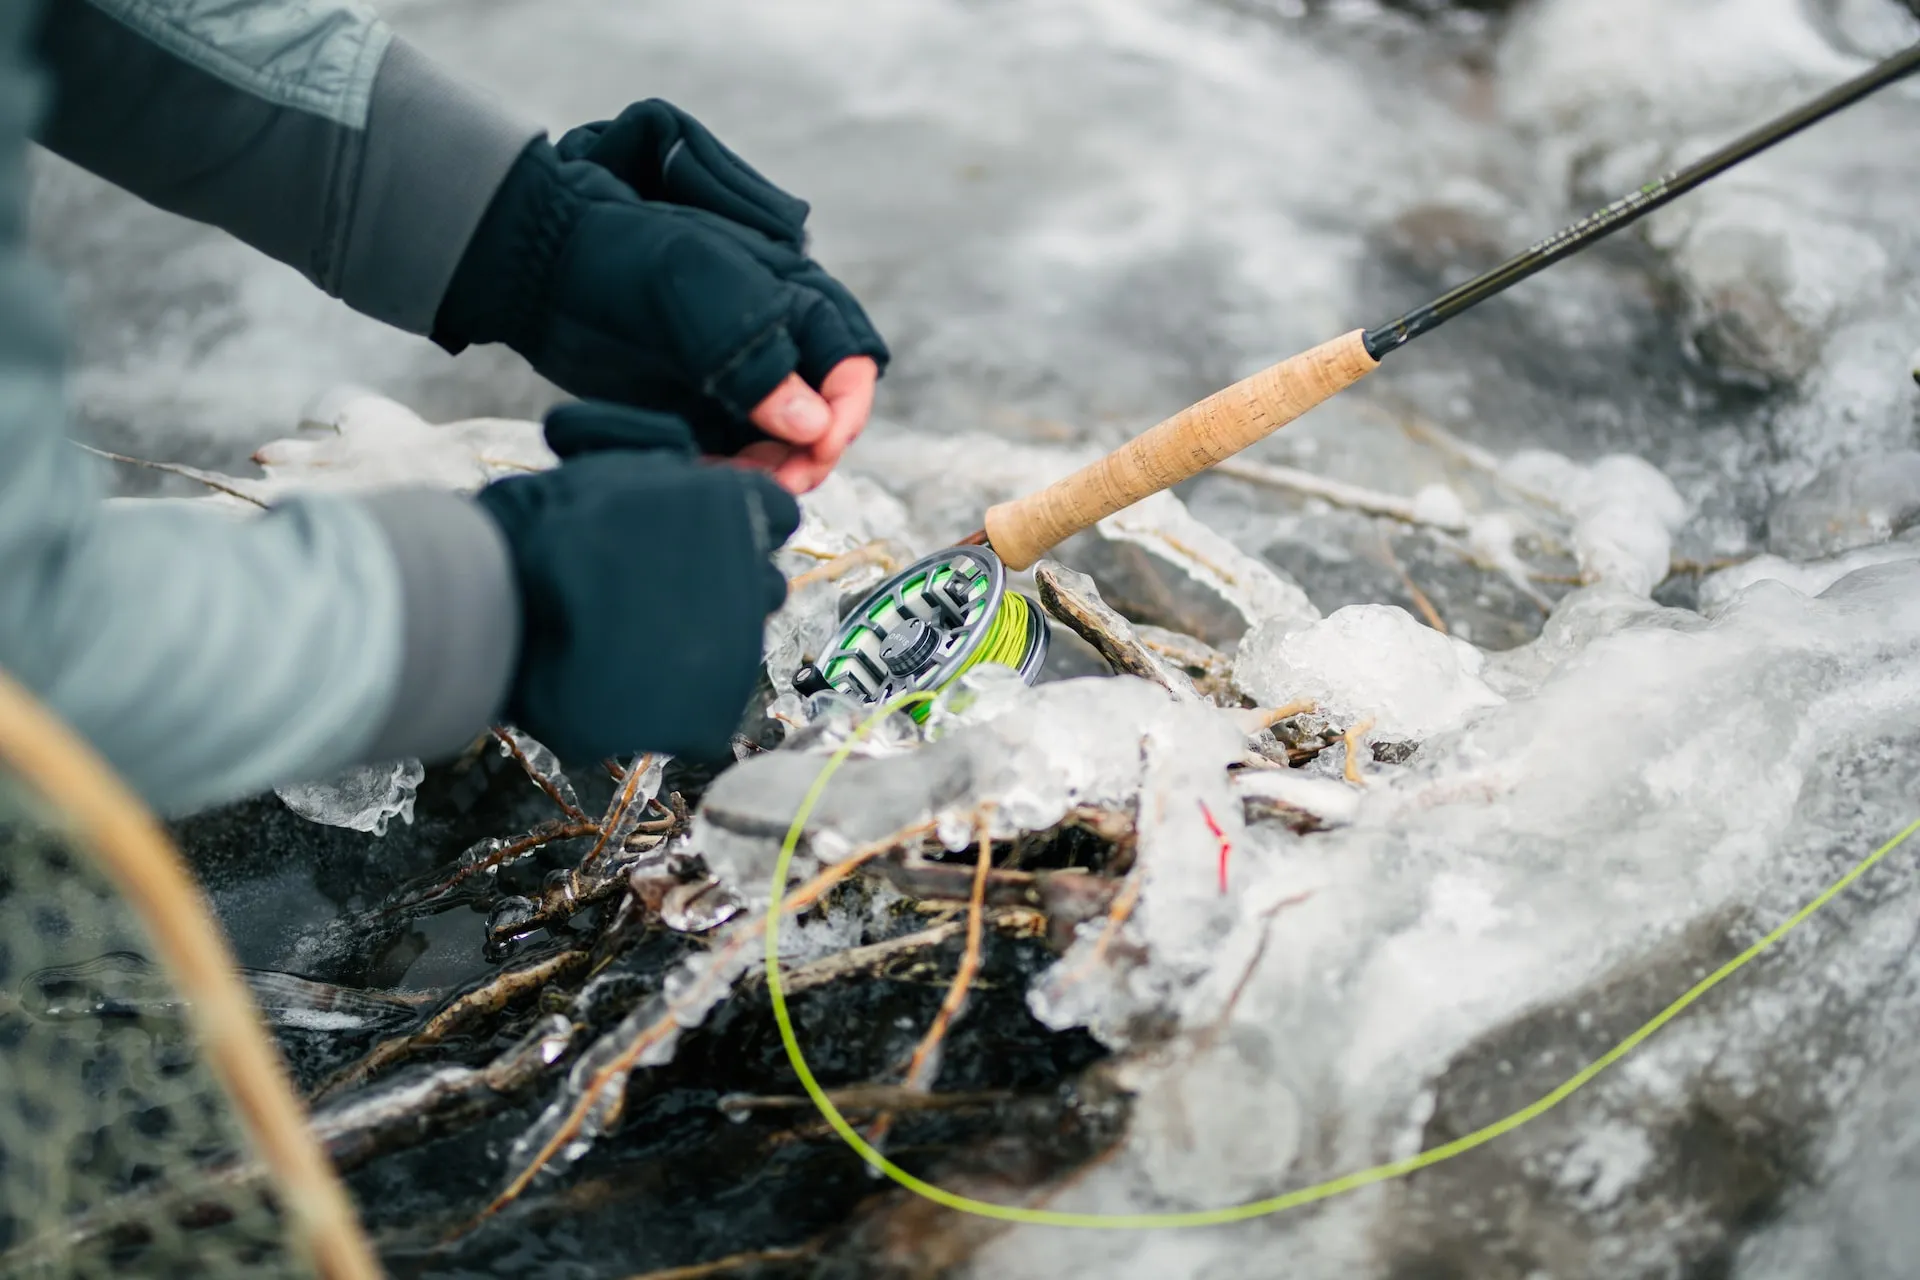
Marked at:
<point>926,627</point>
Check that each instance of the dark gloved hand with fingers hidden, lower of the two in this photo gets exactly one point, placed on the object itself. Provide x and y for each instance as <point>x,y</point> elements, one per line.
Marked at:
<point>646,582</point>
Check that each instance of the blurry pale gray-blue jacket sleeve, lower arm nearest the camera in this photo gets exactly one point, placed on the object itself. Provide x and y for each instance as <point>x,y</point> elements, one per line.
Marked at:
<point>212,655</point>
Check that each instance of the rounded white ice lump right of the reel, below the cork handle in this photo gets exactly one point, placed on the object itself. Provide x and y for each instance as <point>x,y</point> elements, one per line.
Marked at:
<point>1368,663</point>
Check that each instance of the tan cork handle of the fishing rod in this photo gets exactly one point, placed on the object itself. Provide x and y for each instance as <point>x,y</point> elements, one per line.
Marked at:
<point>1022,531</point>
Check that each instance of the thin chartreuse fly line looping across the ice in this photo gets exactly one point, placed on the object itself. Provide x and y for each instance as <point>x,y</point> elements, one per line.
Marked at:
<point>1259,1208</point>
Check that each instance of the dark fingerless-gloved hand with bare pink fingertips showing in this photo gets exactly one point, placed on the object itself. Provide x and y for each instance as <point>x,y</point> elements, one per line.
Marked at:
<point>702,304</point>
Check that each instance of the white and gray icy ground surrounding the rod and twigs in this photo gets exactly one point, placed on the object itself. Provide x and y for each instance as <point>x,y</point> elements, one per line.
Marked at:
<point>1076,216</point>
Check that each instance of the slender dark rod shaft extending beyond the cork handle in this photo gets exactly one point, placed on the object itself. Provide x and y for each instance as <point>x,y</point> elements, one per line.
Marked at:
<point>1629,208</point>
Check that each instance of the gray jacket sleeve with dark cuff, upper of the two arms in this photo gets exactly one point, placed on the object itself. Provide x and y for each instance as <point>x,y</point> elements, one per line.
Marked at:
<point>304,128</point>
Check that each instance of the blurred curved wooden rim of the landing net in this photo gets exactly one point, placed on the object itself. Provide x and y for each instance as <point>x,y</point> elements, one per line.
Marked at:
<point>143,865</point>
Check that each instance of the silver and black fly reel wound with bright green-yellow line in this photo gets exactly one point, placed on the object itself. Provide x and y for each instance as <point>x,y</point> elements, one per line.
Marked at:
<point>926,627</point>
